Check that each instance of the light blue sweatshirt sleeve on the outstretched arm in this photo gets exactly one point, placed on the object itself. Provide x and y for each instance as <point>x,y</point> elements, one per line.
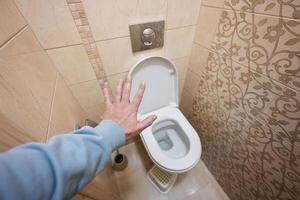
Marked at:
<point>60,168</point>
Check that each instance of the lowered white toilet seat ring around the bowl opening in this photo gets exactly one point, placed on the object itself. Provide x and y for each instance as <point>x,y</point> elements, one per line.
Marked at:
<point>175,165</point>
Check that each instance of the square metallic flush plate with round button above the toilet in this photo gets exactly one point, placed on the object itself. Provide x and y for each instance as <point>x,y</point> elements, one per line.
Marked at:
<point>147,35</point>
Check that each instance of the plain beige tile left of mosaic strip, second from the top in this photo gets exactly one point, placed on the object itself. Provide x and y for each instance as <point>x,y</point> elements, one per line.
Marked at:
<point>72,62</point>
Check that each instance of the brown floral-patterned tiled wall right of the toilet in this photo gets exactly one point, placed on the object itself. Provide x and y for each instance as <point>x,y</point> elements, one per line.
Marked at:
<point>246,107</point>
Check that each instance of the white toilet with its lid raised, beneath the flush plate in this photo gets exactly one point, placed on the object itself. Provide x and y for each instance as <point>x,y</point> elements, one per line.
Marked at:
<point>171,141</point>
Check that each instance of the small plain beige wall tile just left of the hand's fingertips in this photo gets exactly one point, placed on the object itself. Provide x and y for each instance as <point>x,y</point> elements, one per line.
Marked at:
<point>88,93</point>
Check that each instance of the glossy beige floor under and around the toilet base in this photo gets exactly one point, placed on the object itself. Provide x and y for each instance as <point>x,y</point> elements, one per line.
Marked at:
<point>133,185</point>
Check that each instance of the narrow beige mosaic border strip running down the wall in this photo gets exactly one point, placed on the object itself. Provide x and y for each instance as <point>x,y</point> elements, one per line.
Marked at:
<point>84,30</point>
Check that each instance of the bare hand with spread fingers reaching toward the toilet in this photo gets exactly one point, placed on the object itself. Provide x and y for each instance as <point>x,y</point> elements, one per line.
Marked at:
<point>120,110</point>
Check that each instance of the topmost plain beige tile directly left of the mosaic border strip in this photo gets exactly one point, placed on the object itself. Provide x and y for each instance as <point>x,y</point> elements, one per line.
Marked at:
<point>51,21</point>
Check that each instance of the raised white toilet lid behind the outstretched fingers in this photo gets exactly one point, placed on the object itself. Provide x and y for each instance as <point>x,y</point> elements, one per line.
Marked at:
<point>160,77</point>
